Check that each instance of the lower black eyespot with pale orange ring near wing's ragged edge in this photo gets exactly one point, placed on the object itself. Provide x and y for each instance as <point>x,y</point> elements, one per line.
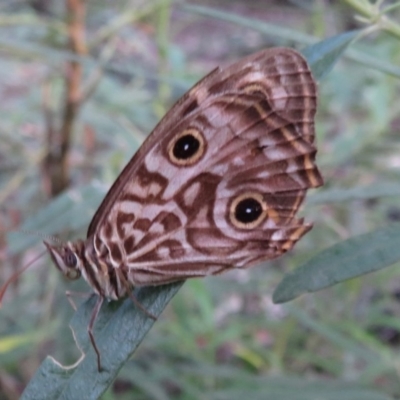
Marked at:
<point>248,210</point>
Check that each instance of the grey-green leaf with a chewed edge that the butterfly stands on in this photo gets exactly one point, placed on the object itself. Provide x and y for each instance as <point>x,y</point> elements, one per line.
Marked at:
<point>118,331</point>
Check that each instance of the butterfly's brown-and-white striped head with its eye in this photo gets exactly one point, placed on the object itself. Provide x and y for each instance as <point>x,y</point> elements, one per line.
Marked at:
<point>66,258</point>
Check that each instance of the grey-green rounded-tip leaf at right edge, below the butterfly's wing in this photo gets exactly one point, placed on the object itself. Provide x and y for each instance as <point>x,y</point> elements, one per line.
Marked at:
<point>345,260</point>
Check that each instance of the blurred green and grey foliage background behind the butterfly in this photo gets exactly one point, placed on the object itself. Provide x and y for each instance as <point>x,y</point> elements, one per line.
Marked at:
<point>220,337</point>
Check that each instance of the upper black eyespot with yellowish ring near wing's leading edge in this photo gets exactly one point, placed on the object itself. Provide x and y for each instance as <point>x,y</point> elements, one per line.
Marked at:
<point>187,147</point>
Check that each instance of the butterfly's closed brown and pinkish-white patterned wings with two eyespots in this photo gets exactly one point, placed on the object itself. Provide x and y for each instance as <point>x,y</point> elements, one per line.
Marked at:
<point>218,182</point>
